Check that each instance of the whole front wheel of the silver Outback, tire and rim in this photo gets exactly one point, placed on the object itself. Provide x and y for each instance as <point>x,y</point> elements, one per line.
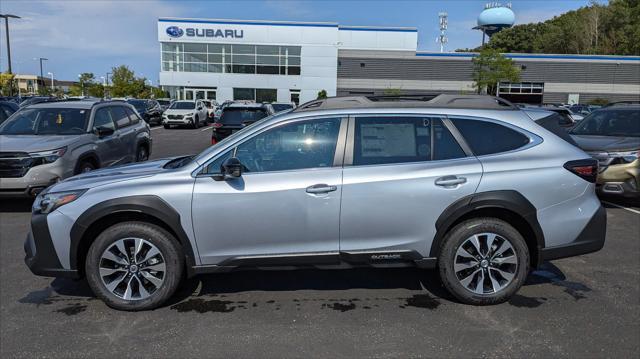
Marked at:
<point>134,266</point>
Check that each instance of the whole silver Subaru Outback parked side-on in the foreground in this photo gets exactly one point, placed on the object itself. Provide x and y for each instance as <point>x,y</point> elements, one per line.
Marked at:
<point>470,185</point>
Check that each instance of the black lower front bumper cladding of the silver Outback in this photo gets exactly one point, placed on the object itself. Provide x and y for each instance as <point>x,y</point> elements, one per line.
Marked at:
<point>40,255</point>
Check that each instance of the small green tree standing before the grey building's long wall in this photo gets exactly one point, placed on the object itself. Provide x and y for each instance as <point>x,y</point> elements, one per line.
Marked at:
<point>490,67</point>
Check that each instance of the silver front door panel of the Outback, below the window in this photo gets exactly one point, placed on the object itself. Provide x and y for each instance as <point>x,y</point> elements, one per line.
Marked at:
<point>266,214</point>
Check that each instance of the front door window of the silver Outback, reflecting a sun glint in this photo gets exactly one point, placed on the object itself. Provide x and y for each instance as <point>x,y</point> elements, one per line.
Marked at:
<point>308,144</point>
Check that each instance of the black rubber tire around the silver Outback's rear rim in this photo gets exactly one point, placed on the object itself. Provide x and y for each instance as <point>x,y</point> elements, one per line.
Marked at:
<point>457,236</point>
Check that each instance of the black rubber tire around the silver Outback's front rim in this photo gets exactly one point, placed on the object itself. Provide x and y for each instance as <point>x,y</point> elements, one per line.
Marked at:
<point>164,242</point>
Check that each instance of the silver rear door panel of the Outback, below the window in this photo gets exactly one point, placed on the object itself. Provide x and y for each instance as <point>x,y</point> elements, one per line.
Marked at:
<point>396,206</point>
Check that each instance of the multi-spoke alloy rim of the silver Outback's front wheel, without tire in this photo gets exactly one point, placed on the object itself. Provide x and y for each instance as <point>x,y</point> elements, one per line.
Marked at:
<point>132,268</point>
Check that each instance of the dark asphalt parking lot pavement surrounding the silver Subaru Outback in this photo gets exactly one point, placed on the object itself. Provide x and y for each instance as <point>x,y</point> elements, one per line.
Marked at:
<point>585,306</point>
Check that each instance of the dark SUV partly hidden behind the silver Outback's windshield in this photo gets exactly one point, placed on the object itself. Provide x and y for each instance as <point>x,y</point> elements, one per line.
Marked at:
<point>236,116</point>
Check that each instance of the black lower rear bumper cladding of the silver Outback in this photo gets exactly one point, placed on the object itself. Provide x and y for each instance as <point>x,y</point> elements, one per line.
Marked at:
<point>591,239</point>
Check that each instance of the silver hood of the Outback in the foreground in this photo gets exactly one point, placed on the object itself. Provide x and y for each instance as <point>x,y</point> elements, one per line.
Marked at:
<point>111,174</point>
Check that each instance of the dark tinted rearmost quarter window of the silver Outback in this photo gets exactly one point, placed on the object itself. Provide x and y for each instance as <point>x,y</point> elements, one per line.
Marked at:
<point>487,137</point>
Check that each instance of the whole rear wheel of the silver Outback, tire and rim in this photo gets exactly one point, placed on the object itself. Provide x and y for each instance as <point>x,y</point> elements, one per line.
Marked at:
<point>483,261</point>
